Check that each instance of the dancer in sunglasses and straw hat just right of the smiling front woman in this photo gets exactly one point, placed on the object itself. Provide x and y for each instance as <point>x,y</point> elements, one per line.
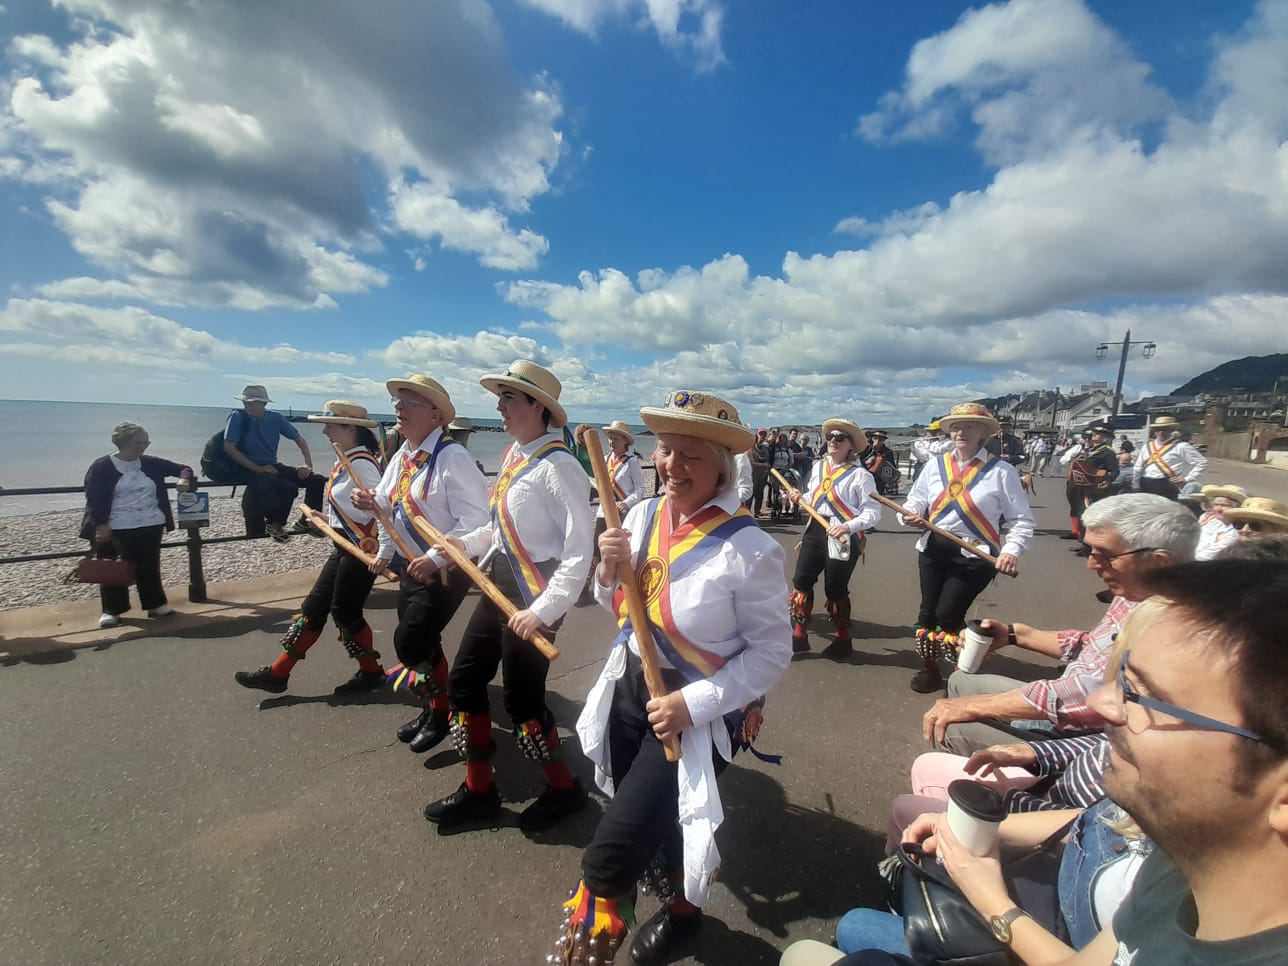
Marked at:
<point>842,508</point>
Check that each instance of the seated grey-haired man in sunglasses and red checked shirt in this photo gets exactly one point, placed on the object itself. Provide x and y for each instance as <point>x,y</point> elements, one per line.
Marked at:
<point>1129,538</point>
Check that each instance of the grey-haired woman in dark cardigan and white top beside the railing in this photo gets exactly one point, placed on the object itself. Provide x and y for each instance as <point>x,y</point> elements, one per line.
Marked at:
<point>127,511</point>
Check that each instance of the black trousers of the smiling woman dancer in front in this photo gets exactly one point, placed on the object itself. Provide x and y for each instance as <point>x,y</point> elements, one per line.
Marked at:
<point>642,819</point>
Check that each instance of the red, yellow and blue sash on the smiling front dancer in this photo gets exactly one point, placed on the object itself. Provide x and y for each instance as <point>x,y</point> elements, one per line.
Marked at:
<point>664,558</point>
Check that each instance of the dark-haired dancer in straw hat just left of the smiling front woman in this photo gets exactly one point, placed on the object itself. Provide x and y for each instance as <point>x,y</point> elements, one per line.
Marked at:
<point>539,539</point>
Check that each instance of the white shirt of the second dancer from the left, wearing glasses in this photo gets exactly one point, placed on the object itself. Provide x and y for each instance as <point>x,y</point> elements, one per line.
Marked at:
<point>455,500</point>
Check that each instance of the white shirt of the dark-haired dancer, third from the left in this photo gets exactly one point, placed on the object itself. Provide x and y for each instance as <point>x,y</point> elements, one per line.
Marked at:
<point>551,508</point>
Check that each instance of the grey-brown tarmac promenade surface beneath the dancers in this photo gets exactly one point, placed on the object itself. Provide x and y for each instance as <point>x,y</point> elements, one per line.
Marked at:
<point>159,813</point>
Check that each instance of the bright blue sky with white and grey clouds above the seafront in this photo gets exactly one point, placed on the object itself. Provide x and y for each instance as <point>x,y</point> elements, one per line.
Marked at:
<point>838,208</point>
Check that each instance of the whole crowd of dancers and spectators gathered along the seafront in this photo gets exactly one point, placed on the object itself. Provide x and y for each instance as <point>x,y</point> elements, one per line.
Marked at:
<point>1097,764</point>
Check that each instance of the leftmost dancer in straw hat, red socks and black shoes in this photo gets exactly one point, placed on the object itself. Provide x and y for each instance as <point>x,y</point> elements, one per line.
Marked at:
<point>345,584</point>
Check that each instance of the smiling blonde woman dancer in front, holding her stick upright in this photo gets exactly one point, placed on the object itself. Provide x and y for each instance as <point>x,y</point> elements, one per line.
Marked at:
<point>714,589</point>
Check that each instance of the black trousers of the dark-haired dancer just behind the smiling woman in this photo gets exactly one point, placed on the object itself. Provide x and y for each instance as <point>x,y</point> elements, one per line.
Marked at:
<point>490,645</point>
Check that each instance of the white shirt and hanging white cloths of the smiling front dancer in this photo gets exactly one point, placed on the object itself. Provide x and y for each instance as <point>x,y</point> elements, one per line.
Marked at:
<point>731,605</point>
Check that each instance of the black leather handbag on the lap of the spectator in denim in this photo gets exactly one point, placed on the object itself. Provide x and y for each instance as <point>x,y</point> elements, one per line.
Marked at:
<point>941,925</point>
